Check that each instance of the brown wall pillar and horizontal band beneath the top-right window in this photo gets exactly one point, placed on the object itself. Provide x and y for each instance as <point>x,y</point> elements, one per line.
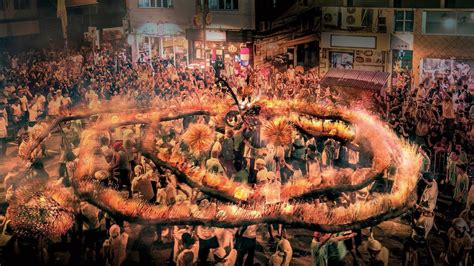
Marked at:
<point>438,46</point>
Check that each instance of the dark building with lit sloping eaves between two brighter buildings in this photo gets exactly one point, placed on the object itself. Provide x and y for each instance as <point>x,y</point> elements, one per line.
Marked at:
<point>291,37</point>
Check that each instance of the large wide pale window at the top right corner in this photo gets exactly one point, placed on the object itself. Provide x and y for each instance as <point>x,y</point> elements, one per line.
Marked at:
<point>448,23</point>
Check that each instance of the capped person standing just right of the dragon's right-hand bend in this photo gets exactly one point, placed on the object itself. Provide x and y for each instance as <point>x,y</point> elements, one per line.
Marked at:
<point>427,202</point>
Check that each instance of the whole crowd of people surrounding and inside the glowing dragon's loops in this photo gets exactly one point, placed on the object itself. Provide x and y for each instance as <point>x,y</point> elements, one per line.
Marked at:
<point>41,85</point>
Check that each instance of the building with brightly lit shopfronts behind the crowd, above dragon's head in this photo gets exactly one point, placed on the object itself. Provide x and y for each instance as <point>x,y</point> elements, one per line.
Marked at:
<point>174,29</point>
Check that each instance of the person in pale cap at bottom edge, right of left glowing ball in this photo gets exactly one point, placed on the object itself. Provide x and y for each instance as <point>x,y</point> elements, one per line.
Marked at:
<point>115,247</point>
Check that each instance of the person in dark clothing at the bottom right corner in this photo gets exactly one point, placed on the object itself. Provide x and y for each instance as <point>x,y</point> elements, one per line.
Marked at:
<point>459,243</point>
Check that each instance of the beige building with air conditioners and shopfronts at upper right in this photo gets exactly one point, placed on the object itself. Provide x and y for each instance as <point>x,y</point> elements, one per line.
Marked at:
<point>399,36</point>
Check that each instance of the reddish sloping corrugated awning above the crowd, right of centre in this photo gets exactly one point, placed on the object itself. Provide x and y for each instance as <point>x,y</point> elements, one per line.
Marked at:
<point>360,79</point>
